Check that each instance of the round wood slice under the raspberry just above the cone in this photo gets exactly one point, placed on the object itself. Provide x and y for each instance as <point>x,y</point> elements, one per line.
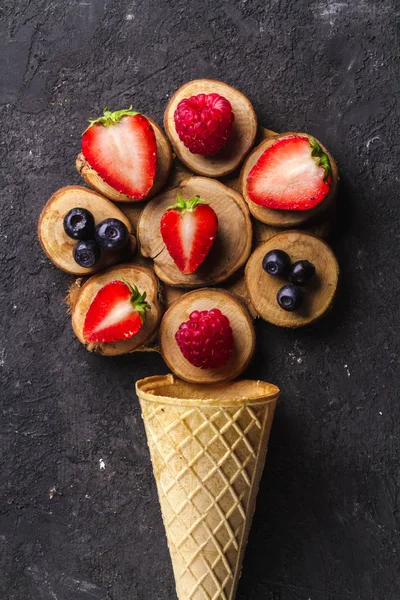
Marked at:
<point>242,327</point>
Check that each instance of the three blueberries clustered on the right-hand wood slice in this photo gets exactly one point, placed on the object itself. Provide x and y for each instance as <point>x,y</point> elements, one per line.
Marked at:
<point>278,264</point>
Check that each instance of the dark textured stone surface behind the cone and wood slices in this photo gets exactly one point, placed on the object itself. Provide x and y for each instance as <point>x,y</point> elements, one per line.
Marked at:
<point>328,517</point>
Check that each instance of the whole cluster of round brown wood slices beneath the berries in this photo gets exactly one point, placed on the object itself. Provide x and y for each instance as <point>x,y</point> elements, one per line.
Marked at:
<point>231,278</point>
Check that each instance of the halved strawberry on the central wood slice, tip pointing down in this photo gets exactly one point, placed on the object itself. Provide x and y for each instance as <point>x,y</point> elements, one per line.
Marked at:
<point>188,229</point>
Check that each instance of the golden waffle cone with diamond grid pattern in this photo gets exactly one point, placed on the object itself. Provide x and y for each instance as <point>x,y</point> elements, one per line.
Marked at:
<point>208,447</point>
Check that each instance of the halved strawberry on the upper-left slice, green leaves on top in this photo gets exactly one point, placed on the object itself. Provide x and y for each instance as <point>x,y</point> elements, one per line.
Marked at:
<point>121,147</point>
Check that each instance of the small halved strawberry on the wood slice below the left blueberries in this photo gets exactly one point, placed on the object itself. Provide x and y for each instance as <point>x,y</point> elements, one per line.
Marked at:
<point>117,313</point>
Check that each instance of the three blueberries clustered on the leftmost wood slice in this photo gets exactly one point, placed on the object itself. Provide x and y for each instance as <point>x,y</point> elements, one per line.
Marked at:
<point>110,234</point>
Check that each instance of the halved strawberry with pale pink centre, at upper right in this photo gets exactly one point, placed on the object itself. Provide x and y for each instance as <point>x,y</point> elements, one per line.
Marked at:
<point>294,173</point>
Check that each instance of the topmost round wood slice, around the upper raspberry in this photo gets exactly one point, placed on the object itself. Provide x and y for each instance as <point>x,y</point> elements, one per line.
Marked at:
<point>242,137</point>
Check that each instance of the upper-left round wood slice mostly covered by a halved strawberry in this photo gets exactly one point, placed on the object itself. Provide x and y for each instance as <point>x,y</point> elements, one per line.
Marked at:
<point>164,162</point>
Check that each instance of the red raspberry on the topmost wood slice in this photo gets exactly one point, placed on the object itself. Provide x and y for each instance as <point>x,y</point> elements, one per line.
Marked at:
<point>204,123</point>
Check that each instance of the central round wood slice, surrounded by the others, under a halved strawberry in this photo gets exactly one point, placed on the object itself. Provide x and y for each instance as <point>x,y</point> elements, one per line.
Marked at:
<point>231,247</point>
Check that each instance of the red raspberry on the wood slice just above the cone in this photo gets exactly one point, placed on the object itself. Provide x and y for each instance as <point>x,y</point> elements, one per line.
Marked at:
<point>206,339</point>
